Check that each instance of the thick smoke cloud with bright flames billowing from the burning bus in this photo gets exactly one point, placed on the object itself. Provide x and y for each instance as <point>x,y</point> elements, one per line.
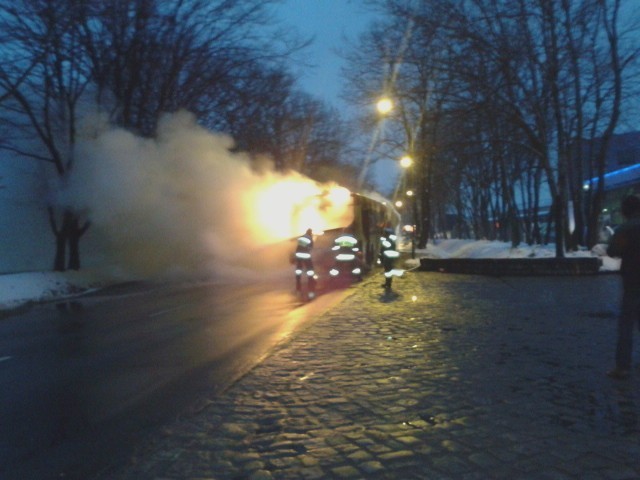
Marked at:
<point>182,203</point>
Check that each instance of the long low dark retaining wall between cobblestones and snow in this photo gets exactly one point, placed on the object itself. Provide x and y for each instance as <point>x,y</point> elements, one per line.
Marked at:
<point>513,266</point>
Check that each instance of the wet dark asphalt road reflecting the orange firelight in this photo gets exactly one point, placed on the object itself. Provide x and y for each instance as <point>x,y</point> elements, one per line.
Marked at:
<point>80,380</point>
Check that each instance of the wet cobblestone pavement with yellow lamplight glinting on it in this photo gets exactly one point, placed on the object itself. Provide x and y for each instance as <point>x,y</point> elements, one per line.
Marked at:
<point>454,377</point>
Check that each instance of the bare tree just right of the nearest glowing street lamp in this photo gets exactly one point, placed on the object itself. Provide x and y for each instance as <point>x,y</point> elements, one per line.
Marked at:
<point>387,64</point>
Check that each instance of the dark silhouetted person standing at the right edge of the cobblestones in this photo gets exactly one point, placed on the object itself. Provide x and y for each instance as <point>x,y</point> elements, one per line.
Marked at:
<point>625,244</point>
